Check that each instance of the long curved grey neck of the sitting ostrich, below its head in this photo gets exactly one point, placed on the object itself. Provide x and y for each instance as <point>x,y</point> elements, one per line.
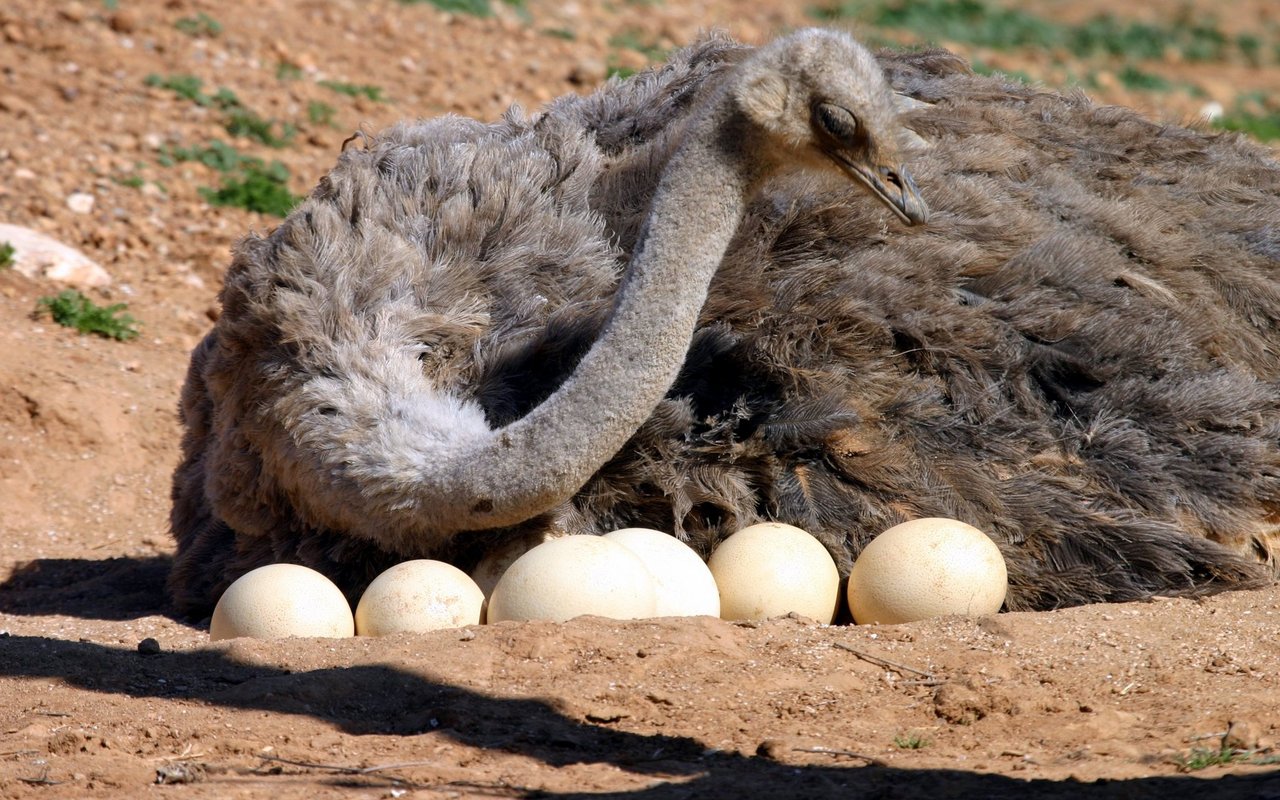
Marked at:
<point>543,459</point>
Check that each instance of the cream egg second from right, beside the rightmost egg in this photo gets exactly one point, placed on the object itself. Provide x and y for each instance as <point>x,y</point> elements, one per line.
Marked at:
<point>771,570</point>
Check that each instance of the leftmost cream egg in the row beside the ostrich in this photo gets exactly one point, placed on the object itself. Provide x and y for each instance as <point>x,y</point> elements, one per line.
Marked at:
<point>280,601</point>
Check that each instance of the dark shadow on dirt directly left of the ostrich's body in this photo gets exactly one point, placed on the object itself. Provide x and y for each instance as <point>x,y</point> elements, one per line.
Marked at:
<point>93,589</point>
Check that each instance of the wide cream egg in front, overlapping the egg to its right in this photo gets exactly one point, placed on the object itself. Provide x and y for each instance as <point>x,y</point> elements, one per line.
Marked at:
<point>572,577</point>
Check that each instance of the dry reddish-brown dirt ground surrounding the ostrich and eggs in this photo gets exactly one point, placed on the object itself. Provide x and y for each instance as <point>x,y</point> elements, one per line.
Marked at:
<point>103,693</point>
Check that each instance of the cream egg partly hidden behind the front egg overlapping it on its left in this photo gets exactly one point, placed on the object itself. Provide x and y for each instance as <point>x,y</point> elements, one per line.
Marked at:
<point>683,583</point>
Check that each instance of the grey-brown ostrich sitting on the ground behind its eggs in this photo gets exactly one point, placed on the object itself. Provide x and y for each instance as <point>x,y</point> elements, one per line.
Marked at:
<point>712,295</point>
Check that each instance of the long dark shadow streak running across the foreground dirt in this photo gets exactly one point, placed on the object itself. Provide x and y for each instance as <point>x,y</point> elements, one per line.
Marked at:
<point>380,700</point>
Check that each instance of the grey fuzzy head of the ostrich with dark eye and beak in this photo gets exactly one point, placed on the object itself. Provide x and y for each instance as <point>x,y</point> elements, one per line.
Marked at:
<point>825,100</point>
